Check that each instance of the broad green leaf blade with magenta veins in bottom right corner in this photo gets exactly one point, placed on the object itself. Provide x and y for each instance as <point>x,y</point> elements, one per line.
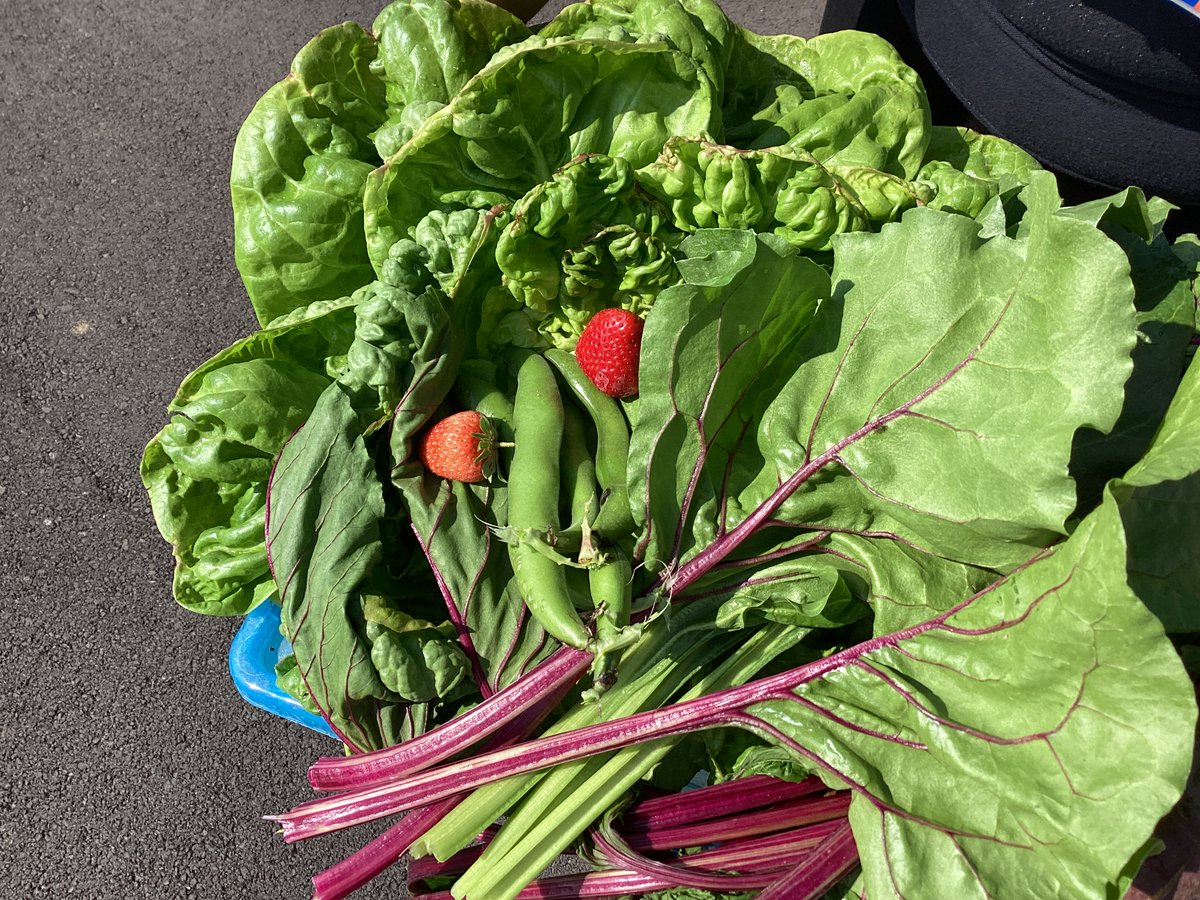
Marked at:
<point>971,745</point>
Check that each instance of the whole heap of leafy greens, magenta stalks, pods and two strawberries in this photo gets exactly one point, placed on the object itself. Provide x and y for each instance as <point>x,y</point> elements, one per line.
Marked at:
<point>878,521</point>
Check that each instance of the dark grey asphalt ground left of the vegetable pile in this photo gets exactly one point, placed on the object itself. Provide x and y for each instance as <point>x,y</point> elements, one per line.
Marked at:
<point>134,767</point>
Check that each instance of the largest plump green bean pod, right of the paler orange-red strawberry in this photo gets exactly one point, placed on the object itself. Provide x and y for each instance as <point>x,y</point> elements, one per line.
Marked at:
<point>533,502</point>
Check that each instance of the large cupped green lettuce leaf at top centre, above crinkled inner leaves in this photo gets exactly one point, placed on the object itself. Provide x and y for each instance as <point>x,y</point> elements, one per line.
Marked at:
<point>532,110</point>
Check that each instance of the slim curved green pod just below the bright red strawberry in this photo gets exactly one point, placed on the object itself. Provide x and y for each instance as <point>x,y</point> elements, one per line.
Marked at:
<point>615,520</point>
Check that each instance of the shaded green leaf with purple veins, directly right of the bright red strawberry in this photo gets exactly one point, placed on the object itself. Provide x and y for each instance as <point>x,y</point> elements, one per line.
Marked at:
<point>712,355</point>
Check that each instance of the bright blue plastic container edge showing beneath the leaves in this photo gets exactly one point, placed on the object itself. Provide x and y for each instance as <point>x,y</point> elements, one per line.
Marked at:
<point>254,653</point>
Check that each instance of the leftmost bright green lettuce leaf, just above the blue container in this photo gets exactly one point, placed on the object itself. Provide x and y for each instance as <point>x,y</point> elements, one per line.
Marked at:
<point>207,471</point>
